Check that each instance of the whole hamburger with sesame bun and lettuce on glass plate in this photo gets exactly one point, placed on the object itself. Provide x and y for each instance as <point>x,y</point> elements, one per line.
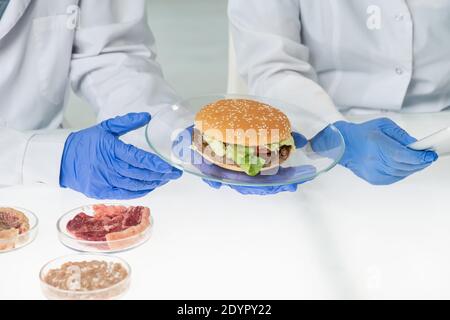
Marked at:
<point>243,135</point>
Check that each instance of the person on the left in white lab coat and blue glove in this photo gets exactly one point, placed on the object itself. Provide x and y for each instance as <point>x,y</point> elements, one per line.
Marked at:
<point>104,50</point>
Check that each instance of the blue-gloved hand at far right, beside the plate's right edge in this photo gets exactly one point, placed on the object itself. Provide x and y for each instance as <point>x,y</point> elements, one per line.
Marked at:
<point>377,151</point>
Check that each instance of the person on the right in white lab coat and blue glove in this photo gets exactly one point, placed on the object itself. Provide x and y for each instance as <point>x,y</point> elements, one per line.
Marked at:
<point>335,57</point>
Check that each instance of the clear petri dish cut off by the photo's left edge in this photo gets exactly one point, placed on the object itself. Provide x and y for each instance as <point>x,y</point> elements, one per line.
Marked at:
<point>21,240</point>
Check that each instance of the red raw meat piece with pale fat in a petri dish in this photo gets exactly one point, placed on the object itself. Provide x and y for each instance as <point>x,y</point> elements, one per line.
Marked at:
<point>110,224</point>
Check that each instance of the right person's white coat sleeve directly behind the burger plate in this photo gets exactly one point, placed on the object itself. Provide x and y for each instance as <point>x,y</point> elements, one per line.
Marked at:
<point>271,56</point>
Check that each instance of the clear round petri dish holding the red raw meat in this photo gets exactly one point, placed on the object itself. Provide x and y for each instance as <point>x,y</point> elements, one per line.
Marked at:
<point>111,246</point>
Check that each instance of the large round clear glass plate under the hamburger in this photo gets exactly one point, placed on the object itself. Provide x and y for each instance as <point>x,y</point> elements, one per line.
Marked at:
<point>169,135</point>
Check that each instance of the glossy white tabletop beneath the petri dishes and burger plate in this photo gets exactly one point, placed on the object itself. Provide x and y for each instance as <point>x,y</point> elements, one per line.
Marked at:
<point>337,237</point>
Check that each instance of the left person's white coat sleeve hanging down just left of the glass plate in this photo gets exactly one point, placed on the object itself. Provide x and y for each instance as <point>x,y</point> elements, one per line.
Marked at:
<point>114,62</point>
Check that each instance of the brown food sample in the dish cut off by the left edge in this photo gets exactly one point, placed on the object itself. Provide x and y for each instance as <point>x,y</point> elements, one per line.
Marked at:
<point>12,224</point>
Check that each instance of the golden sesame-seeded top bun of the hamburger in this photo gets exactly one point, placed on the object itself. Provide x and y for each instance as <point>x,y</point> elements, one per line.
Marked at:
<point>243,122</point>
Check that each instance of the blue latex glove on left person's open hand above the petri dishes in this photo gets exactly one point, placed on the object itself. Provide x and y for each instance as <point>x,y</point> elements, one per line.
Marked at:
<point>96,163</point>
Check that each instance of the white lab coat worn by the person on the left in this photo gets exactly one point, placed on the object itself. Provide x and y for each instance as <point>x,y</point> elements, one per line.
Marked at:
<point>103,48</point>
